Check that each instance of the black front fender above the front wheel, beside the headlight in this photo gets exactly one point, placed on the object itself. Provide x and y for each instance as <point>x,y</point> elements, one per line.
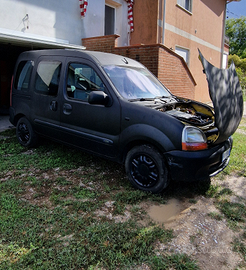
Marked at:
<point>142,123</point>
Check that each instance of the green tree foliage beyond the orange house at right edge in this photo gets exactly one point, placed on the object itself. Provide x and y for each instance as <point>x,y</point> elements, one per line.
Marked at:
<point>236,31</point>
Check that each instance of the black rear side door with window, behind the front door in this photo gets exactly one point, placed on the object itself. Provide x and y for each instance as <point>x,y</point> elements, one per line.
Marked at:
<point>45,99</point>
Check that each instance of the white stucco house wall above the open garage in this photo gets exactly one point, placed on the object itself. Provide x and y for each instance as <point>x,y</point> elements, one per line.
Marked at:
<point>60,20</point>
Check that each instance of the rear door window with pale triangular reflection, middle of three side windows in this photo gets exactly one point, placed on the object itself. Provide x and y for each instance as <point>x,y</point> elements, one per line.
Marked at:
<point>47,78</point>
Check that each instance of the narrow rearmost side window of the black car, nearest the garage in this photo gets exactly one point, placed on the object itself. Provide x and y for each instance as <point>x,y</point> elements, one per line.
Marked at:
<point>23,75</point>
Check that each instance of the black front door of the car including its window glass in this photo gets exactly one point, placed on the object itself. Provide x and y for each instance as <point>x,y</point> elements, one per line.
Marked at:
<point>90,126</point>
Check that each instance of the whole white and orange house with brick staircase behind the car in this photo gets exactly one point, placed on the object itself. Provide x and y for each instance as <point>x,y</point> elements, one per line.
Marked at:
<point>165,38</point>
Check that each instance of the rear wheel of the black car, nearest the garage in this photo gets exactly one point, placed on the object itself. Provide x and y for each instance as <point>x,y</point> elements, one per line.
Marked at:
<point>25,133</point>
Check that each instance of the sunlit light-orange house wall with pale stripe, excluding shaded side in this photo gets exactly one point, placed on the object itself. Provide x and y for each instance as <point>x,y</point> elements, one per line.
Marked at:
<point>205,25</point>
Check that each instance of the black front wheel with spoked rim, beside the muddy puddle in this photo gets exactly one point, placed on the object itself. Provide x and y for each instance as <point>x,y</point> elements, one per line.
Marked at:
<point>146,169</point>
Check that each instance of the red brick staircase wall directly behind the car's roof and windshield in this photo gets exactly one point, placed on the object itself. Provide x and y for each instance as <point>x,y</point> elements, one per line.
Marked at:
<point>165,64</point>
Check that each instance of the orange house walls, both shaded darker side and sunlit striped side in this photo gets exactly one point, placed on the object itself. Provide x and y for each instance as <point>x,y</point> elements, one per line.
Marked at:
<point>203,29</point>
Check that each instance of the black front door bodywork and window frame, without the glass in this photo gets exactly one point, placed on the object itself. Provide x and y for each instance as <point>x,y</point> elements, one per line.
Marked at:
<point>92,127</point>
